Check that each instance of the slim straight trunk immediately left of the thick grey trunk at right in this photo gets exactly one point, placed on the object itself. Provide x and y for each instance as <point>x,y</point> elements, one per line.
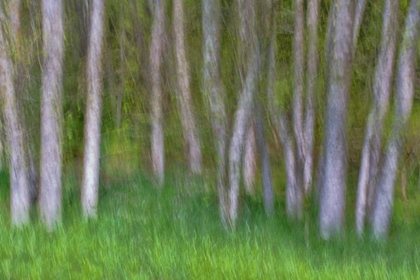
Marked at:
<point>311,82</point>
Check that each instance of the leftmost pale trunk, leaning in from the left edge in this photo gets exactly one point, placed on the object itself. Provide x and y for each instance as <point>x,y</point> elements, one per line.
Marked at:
<point>19,183</point>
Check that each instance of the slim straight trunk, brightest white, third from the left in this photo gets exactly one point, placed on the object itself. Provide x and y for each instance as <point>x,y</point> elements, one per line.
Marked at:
<point>90,182</point>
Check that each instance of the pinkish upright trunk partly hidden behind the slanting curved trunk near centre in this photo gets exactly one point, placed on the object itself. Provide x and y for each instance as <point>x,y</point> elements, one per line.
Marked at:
<point>246,23</point>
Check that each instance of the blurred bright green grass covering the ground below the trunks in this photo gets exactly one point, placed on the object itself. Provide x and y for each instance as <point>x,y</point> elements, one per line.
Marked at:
<point>144,233</point>
